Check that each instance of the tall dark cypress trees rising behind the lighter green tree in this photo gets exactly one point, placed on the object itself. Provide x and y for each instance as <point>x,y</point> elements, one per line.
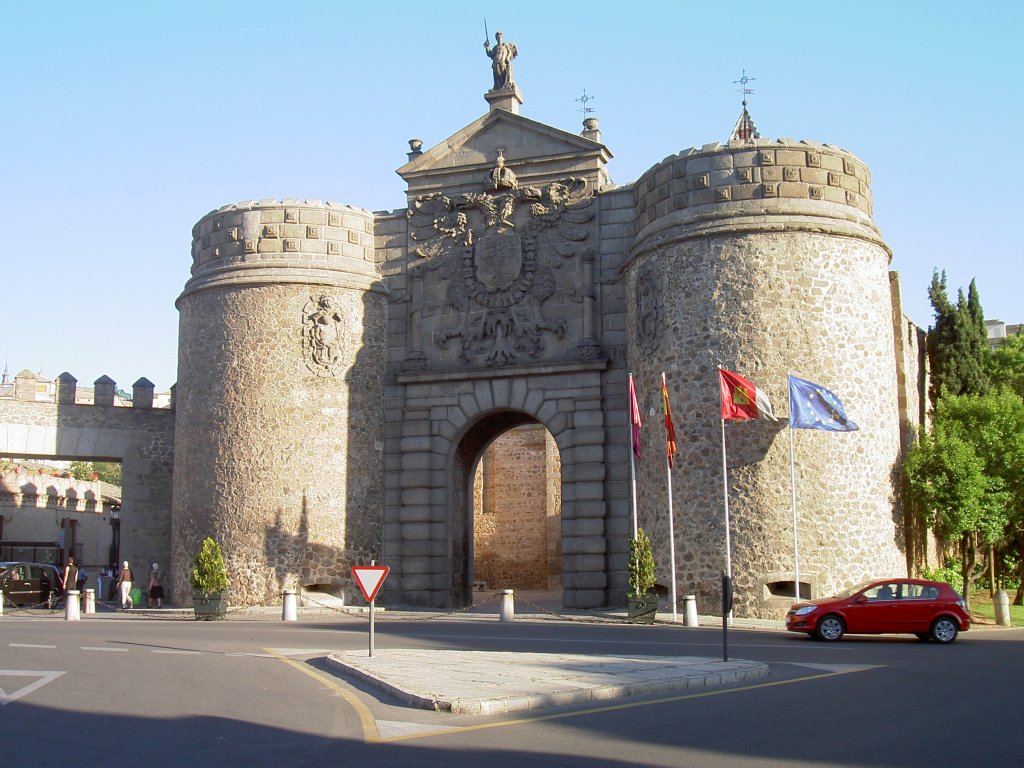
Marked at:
<point>957,345</point>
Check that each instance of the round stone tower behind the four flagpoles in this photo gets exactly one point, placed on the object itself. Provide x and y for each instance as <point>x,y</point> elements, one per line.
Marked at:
<point>762,258</point>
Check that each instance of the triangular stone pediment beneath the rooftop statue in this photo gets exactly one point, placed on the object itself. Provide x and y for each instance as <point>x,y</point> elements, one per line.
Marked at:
<point>537,153</point>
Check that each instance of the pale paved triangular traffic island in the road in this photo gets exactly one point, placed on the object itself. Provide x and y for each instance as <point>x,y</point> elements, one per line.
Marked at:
<point>487,684</point>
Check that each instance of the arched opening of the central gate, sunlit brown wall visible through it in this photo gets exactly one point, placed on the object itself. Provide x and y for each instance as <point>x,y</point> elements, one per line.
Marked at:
<point>506,511</point>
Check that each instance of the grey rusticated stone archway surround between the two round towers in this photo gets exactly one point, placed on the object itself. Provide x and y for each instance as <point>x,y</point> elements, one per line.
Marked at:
<point>442,426</point>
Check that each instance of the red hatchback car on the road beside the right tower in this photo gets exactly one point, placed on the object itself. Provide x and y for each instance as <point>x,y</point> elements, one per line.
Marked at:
<point>932,611</point>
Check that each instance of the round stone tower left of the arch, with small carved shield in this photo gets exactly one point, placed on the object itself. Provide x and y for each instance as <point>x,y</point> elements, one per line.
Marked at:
<point>279,409</point>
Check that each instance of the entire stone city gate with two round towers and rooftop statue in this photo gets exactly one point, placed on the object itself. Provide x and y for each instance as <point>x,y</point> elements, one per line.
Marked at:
<point>342,373</point>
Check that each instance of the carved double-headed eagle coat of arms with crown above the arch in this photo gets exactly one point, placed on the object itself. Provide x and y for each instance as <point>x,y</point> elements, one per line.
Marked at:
<point>497,253</point>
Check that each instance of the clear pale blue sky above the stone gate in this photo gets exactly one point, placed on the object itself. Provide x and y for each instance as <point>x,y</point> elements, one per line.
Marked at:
<point>126,122</point>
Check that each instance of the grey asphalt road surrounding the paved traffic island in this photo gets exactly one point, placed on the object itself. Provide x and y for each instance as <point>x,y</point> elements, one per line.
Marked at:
<point>153,694</point>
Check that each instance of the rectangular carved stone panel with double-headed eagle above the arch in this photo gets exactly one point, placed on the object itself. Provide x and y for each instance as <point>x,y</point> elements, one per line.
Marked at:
<point>502,277</point>
